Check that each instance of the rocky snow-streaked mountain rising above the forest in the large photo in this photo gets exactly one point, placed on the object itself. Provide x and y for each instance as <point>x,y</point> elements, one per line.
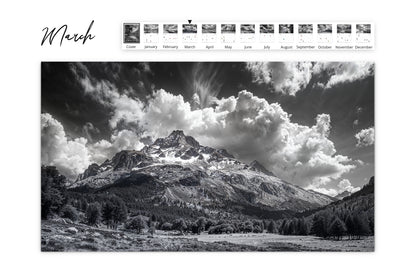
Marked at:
<point>181,170</point>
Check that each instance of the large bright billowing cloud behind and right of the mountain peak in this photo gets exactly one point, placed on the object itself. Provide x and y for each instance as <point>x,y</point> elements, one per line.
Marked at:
<point>298,153</point>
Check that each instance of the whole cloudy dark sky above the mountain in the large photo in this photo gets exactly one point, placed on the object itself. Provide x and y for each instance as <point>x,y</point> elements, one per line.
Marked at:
<point>310,123</point>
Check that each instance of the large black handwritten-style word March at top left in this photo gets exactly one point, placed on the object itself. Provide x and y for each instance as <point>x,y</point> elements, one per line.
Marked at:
<point>63,30</point>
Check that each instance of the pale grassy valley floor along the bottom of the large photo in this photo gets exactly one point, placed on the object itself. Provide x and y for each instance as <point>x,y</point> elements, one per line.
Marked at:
<point>62,236</point>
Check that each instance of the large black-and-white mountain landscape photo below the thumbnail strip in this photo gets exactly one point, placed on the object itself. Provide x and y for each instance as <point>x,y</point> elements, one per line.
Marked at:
<point>223,156</point>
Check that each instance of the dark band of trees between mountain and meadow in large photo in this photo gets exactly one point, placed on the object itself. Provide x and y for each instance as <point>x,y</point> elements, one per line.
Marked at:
<point>351,219</point>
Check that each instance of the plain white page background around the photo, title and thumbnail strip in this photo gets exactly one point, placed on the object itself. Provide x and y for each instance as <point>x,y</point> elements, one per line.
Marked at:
<point>21,54</point>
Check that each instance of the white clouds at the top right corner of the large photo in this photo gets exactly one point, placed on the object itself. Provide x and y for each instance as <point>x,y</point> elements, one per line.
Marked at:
<point>291,77</point>
